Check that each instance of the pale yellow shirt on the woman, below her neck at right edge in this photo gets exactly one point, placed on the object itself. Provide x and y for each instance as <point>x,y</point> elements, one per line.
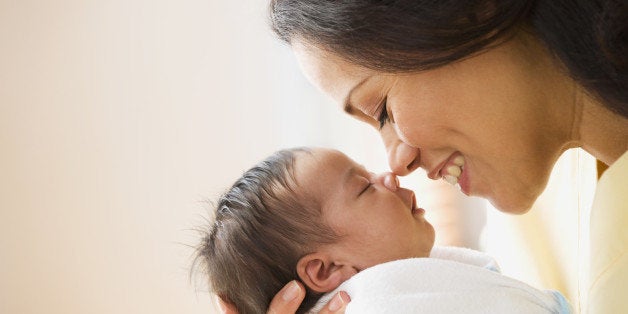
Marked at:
<point>606,283</point>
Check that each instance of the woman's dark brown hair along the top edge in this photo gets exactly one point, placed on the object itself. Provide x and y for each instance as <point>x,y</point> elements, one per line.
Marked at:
<point>590,37</point>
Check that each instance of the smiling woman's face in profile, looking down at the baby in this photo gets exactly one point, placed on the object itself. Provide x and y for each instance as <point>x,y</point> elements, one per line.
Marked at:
<point>484,123</point>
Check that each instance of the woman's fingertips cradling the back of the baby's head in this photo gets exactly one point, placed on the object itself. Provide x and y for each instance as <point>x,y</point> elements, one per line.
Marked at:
<point>288,299</point>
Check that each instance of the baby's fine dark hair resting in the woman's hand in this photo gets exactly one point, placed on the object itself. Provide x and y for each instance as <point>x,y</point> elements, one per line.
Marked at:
<point>262,227</point>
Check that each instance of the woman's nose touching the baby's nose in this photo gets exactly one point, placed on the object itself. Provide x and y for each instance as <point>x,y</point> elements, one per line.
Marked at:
<point>402,158</point>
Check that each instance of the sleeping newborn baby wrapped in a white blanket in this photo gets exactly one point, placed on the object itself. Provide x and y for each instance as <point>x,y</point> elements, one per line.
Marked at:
<point>317,216</point>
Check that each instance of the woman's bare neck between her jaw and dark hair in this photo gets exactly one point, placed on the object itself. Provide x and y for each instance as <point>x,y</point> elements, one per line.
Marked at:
<point>579,119</point>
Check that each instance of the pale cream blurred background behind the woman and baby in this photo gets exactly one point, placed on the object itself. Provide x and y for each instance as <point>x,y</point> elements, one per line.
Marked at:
<point>119,119</point>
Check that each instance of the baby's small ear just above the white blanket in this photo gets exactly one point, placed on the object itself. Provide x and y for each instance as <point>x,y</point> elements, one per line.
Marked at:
<point>321,274</point>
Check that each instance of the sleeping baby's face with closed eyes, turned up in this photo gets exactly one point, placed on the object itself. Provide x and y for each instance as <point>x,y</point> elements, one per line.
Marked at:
<point>376,224</point>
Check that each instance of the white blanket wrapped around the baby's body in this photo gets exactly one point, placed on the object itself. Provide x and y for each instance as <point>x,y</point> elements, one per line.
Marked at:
<point>452,280</point>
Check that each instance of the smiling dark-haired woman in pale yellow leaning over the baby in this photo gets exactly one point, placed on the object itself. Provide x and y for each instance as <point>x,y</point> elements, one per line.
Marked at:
<point>507,86</point>
